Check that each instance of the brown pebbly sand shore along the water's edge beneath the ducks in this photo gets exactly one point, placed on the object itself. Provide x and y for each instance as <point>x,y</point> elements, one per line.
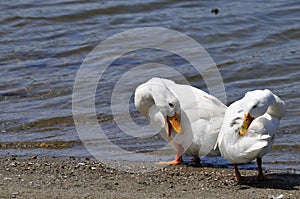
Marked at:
<point>48,177</point>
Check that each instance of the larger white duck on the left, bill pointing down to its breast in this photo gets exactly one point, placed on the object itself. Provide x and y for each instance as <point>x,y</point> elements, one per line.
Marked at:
<point>191,117</point>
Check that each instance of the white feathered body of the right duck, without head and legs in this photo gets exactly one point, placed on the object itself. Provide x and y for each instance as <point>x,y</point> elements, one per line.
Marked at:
<point>242,149</point>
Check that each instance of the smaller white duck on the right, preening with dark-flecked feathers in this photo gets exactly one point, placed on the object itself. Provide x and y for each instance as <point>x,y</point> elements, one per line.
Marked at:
<point>249,128</point>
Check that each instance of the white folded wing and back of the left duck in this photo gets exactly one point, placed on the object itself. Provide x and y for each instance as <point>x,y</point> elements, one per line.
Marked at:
<point>205,115</point>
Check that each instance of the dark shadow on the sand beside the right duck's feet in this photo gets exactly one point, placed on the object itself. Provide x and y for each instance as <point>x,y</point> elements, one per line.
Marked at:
<point>282,181</point>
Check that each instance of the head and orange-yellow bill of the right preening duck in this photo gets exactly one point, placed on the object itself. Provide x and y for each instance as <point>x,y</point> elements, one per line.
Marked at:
<point>255,103</point>
